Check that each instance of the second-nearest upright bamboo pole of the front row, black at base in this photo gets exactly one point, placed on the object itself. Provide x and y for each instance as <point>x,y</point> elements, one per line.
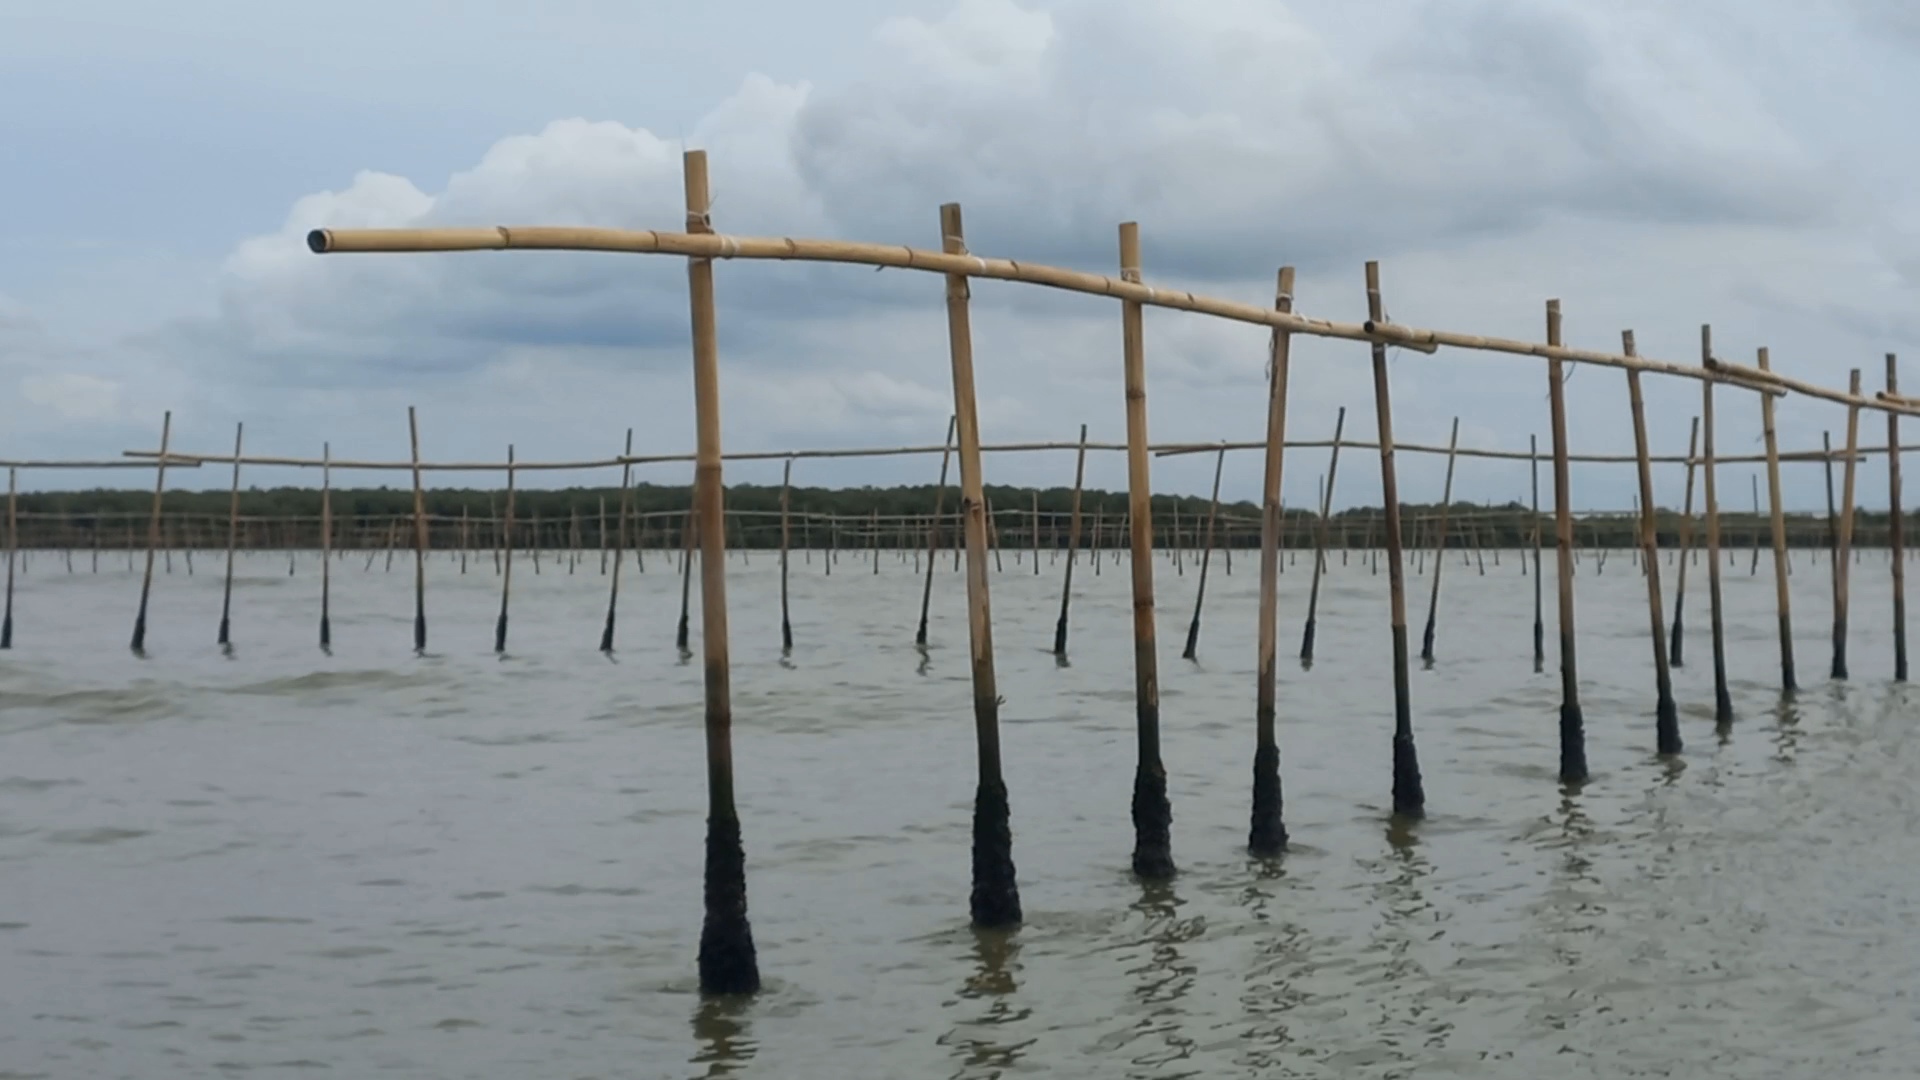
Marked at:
<point>996,898</point>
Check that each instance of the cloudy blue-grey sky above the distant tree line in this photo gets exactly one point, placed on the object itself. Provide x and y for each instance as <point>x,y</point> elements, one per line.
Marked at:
<point>1742,164</point>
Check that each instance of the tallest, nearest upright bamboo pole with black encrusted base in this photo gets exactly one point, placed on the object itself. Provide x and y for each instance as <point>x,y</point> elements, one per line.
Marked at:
<point>729,964</point>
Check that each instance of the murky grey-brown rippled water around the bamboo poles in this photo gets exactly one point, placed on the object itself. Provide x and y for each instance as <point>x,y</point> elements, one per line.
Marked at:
<point>460,866</point>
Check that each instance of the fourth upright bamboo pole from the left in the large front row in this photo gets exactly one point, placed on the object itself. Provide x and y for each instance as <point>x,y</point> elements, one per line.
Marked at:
<point>1266,833</point>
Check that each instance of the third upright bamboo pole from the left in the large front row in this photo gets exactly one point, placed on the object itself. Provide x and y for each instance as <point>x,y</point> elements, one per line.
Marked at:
<point>1153,814</point>
